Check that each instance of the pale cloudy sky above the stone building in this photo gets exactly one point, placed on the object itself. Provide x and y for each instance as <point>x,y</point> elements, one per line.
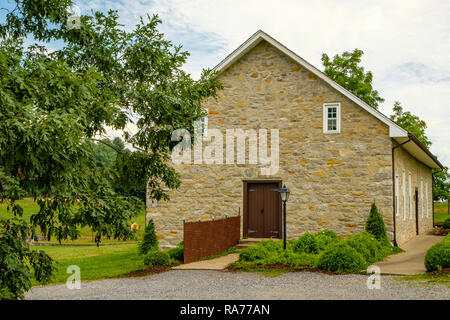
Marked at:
<point>406,43</point>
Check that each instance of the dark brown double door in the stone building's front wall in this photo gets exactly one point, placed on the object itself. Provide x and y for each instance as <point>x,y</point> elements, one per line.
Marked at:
<point>263,210</point>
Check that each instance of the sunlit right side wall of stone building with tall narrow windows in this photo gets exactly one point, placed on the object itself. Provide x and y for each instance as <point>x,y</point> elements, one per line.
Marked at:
<point>422,180</point>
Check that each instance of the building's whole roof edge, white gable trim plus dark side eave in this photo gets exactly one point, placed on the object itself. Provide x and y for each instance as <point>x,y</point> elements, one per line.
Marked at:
<point>395,131</point>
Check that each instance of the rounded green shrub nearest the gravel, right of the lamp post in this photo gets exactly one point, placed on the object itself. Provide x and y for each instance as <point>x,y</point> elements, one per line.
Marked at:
<point>341,258</point>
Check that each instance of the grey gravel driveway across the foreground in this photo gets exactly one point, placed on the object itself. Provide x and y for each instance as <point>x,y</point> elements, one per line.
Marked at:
<point>202,284</point>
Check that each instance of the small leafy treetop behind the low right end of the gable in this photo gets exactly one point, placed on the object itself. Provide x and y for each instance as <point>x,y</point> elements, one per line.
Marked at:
<point>410,123</point>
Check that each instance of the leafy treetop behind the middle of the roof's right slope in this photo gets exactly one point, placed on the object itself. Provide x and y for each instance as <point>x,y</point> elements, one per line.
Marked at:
<point>346,71</point>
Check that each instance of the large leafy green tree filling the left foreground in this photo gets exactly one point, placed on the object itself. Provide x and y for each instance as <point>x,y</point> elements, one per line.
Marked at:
<point>54,104</point>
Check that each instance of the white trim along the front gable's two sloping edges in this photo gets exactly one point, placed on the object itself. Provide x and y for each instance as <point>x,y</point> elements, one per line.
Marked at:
<point>394,129</point>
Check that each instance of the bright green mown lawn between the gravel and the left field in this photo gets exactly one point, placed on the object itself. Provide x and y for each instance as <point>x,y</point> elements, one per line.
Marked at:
<point>95,262</point>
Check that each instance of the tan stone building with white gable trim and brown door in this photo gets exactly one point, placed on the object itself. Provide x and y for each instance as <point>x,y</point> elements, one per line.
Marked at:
<point>336,154</point>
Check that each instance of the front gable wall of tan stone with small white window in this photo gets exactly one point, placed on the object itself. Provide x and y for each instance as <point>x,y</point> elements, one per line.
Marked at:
<point>333,177</point>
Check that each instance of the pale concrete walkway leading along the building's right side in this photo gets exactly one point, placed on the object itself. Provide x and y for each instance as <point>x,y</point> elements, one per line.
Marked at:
<point>412,260</point>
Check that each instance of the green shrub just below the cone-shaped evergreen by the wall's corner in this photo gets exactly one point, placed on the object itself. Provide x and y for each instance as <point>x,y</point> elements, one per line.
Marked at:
<point>367,245</point>
